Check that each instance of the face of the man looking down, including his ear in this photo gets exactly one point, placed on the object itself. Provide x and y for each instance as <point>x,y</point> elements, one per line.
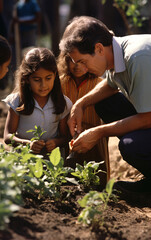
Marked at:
<point>95,63</point>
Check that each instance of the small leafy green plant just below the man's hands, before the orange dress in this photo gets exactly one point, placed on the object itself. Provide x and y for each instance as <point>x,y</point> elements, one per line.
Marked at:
<point>87,174</point>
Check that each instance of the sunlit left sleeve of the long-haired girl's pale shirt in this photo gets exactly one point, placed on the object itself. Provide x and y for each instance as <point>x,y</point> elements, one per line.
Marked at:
<point>12,101</point>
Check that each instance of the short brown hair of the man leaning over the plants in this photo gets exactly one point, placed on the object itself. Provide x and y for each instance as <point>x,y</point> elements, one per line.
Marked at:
<point>83,33</point>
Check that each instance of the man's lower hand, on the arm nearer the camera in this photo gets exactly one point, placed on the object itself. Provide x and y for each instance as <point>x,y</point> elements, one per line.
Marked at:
<point>86,140</point>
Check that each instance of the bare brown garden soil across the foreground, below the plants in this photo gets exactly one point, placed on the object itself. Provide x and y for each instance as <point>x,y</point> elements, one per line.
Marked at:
<point>47,220</point>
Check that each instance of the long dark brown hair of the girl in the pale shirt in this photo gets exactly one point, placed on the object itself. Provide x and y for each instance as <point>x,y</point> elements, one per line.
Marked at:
<point>32,61</point>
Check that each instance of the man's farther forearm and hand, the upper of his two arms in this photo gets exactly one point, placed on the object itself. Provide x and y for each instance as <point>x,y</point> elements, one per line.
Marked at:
<point>100,92</point>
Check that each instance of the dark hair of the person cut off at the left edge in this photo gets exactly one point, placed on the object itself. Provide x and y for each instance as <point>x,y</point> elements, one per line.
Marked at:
<point>5,50</point>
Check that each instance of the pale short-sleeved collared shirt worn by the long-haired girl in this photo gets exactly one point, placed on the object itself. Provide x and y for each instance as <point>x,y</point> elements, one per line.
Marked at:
<point>43,117</point>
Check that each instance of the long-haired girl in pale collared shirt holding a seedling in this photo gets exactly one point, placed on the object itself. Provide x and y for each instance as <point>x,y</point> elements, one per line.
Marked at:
<point>37,100</point>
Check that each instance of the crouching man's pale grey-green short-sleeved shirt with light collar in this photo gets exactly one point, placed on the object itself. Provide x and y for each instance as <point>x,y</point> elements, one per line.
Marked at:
<point>132,69</point>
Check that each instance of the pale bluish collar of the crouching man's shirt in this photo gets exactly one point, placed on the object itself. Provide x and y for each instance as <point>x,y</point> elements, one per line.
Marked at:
<point>119,64</point>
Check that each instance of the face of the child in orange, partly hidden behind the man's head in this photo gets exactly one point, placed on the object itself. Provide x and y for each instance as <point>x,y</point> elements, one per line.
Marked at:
<point>77,69</point>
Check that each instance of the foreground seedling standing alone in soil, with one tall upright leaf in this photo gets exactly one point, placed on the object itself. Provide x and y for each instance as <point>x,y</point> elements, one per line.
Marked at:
<point>95,203</point>
